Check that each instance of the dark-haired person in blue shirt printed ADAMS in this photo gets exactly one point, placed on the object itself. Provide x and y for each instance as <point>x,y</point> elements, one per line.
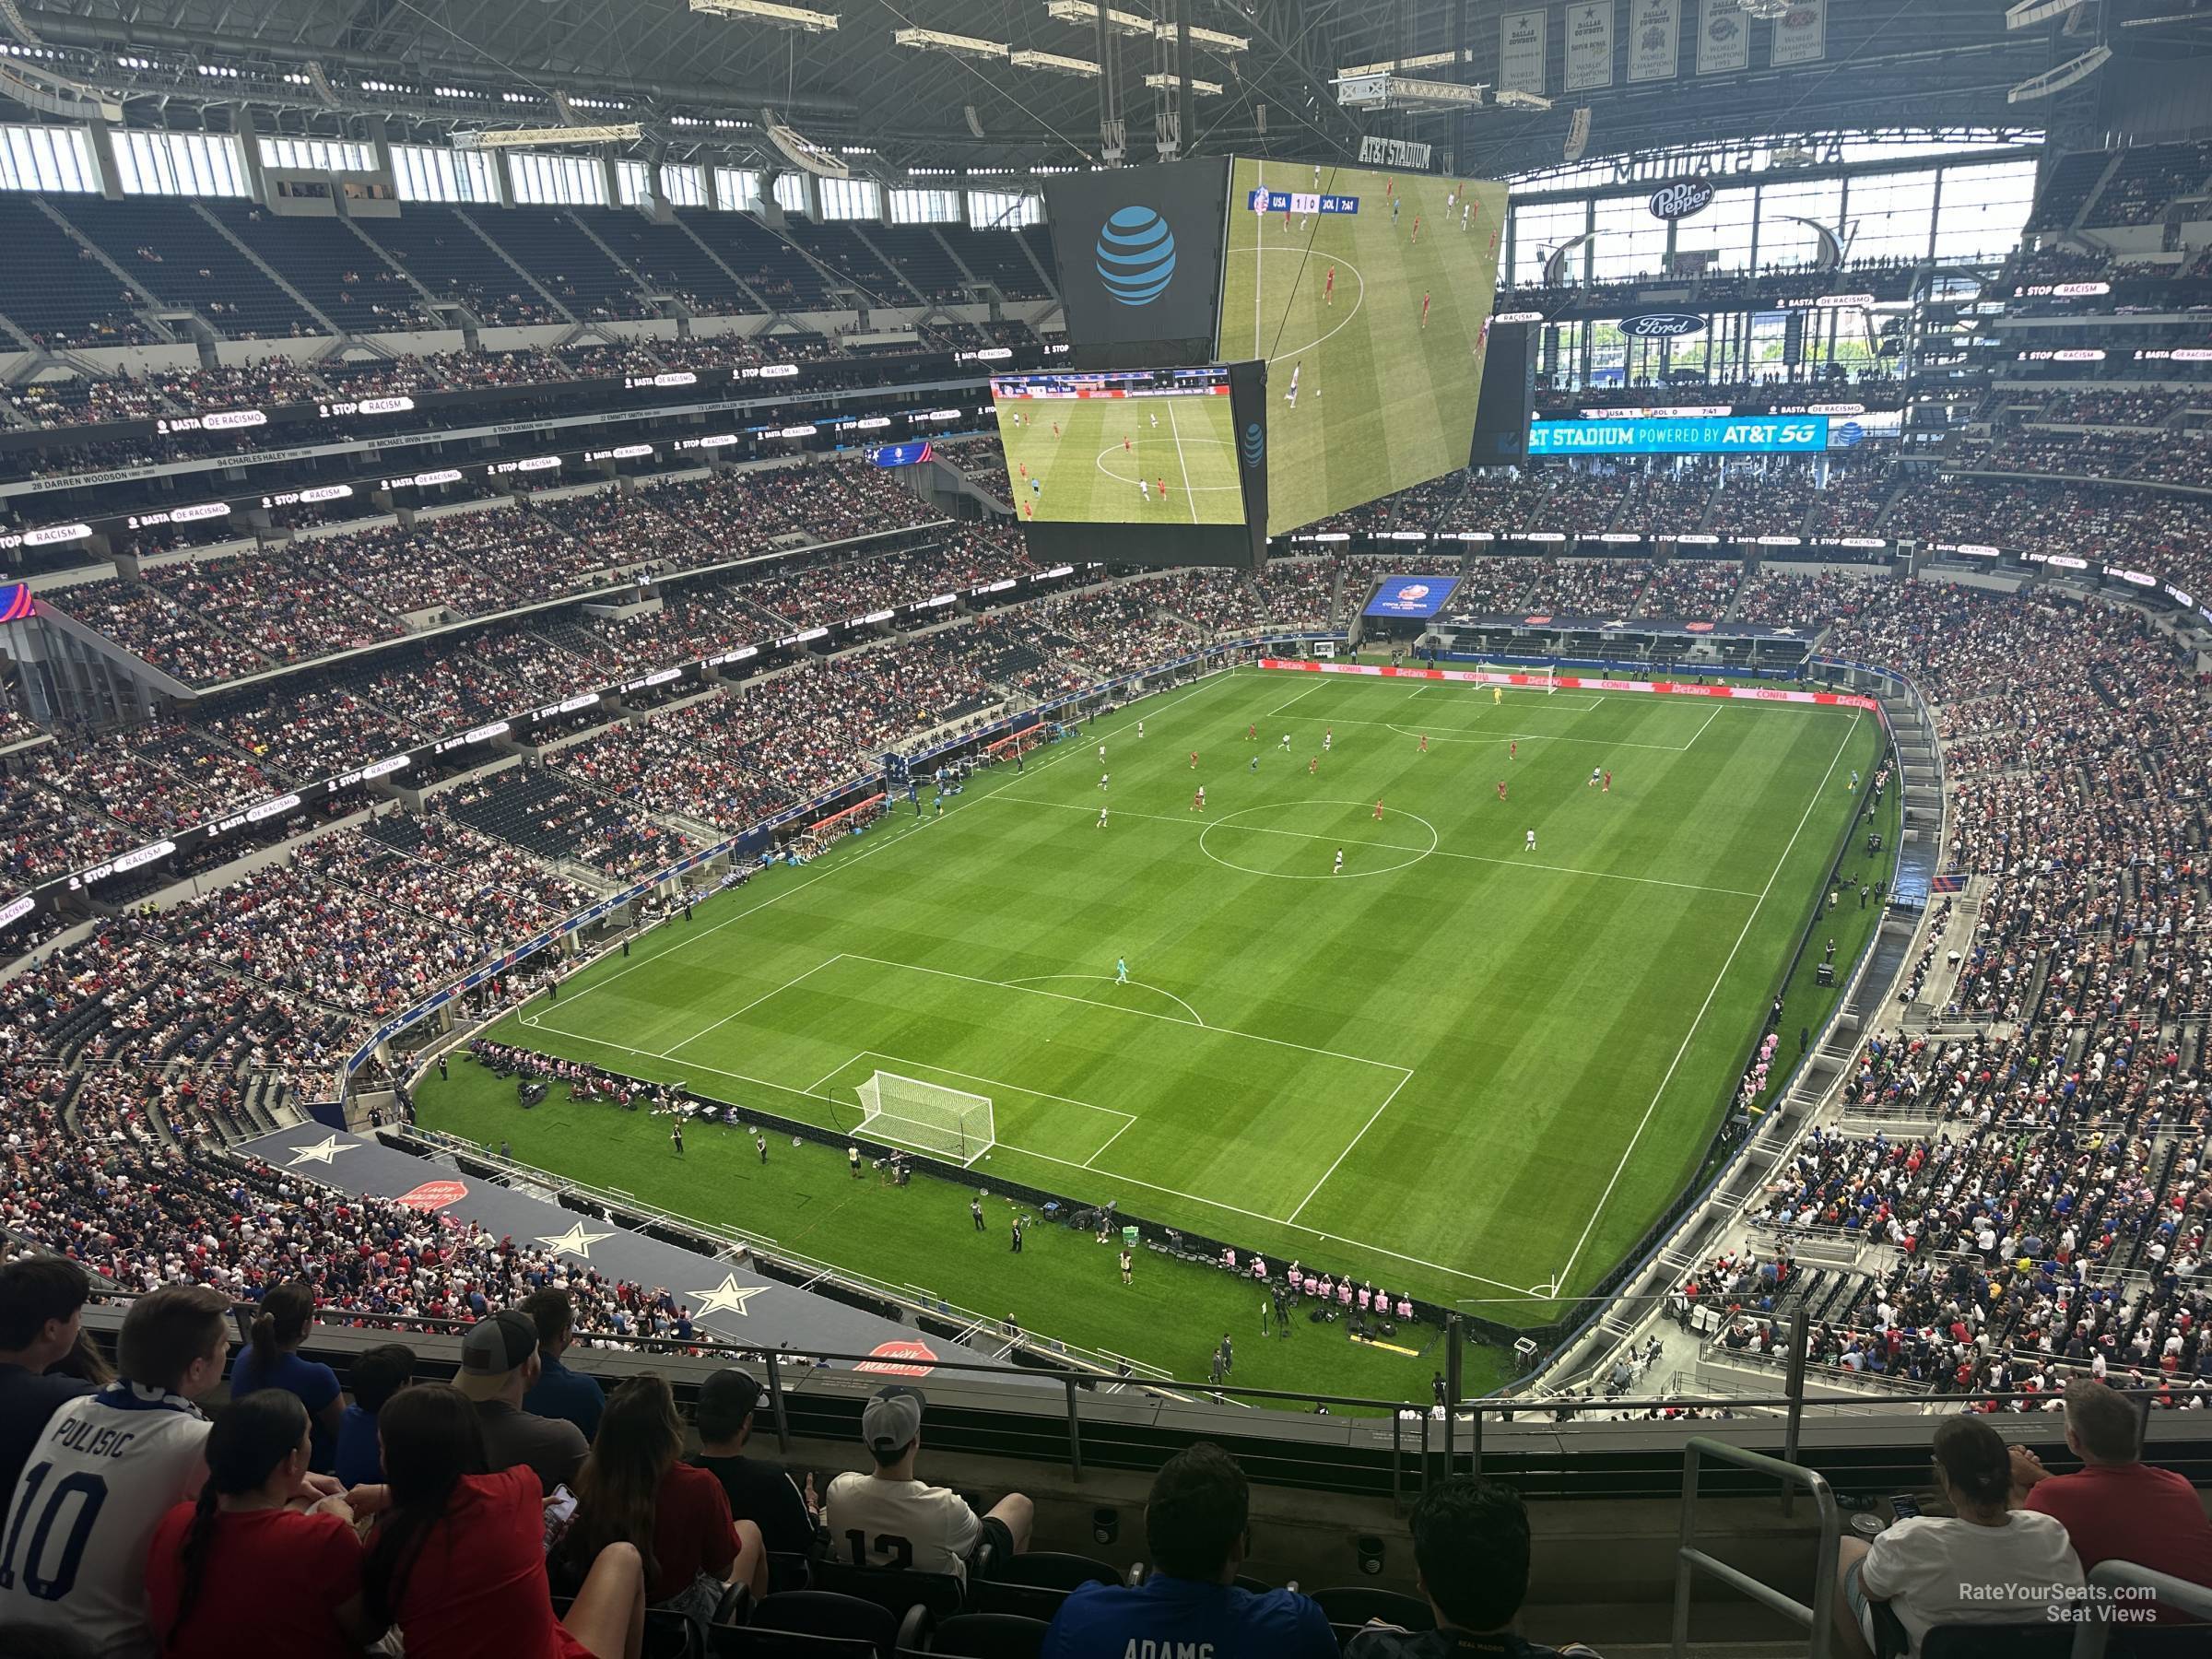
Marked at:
<point>1198,1527</point>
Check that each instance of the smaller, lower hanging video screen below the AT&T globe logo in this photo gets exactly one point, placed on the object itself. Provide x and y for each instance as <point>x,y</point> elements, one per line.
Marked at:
<point>1120,448</point>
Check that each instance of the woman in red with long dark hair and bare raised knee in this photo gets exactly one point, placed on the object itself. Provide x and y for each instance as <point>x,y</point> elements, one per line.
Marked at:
<point>457,1558</point>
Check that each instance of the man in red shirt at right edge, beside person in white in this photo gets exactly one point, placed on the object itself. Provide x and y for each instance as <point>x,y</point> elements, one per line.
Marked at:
<point>2118,1507</point>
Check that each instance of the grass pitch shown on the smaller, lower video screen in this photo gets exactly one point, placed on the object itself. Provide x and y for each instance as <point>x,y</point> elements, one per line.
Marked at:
<point>1089,468</point>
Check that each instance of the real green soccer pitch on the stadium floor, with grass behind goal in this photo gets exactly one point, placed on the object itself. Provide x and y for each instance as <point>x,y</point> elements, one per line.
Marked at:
<point>1461,1070</point>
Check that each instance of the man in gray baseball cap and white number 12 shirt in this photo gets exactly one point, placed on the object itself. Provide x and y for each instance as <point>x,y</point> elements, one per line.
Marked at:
<point>890,1503</point>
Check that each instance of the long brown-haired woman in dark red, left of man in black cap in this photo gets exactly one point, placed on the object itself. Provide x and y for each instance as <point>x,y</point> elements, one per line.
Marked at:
<point>634,1490</point>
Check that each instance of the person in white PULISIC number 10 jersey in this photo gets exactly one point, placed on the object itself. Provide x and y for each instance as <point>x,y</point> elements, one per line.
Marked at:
<point>105,1472</point>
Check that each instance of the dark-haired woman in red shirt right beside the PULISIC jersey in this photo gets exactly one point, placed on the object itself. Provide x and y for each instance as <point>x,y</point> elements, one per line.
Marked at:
<point>244,1561</point>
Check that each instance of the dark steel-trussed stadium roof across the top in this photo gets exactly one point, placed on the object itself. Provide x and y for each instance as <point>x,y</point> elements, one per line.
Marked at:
<point>700,79</point>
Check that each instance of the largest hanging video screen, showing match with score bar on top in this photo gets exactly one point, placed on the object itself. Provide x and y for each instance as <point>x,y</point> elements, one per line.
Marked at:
<point>1370,300</point>
